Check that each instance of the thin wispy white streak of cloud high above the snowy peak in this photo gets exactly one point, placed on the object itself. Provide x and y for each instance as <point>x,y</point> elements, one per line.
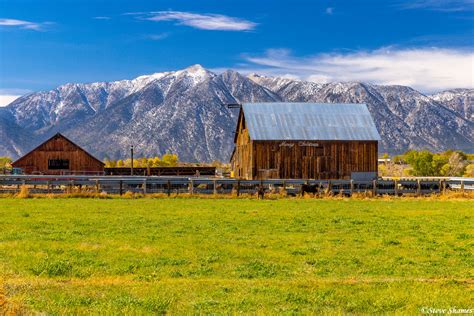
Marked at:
<point>202,21</point>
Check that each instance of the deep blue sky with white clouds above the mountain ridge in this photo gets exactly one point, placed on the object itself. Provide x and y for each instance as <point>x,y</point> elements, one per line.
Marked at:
<point>427,44</point>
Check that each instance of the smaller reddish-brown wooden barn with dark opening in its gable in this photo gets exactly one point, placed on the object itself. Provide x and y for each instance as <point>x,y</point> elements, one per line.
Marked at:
<point>58,155</point>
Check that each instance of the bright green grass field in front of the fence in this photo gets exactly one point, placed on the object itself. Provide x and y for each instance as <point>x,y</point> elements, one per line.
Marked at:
<point>148,256</point>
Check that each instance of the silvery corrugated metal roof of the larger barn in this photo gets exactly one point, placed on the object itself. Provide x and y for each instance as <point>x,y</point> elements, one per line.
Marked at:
<point>309,121</point>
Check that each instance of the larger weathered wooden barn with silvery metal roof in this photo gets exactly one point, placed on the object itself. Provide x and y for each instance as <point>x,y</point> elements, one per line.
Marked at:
<point>305,141</point>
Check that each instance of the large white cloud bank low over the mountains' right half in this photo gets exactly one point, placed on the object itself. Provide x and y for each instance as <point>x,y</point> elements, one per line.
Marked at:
<point>425,69</point>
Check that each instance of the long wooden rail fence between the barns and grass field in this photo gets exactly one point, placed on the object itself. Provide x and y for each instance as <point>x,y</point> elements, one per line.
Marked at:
<point>199,185</point>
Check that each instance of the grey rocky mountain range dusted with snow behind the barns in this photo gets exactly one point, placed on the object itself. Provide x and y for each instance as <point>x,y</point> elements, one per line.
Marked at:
<point>184,112</point>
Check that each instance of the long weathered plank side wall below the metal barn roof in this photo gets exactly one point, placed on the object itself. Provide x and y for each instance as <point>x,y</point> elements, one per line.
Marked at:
<point>310,159</point>
